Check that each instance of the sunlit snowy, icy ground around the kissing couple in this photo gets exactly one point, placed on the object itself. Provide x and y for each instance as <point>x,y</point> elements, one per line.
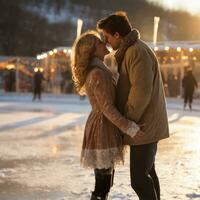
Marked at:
<point>40,144</point>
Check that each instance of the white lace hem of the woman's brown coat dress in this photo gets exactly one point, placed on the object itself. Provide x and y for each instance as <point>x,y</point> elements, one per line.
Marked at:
<point>102,158</point>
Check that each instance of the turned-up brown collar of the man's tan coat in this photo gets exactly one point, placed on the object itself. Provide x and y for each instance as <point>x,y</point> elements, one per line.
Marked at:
<point>127,41</point>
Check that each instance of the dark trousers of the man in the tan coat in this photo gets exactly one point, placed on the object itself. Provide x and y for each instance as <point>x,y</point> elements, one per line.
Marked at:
<point>144,179</point>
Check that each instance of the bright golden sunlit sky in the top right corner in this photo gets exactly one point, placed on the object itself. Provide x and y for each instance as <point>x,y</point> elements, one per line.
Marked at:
<point>191,6</point>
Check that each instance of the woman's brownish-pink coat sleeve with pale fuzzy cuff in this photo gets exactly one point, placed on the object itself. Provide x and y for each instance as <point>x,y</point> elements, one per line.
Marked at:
<point>100,86</point>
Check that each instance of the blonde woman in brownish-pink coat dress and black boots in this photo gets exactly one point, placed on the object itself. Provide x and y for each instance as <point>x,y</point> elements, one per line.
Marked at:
<point>102,144</point>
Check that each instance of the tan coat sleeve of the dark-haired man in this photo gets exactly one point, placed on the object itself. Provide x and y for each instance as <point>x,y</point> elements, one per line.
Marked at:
<point>140,73</point>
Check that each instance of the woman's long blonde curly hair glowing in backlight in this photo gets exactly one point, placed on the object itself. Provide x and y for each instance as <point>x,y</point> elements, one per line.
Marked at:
<point>82,54</point>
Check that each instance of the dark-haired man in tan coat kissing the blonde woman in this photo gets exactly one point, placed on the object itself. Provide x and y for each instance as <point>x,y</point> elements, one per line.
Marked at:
<point>140,97</point>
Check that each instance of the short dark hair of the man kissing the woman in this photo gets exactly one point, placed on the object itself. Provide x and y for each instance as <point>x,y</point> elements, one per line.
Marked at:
<point>117,22</point>
